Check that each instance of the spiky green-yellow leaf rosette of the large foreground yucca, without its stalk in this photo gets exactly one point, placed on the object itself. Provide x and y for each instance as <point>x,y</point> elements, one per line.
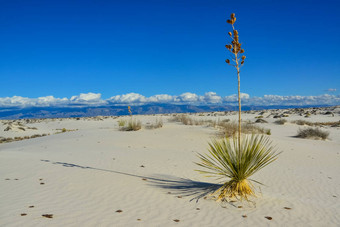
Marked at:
<point>228,160</point>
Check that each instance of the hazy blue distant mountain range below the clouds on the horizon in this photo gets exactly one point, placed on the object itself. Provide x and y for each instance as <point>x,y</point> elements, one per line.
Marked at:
<point>91,111</point>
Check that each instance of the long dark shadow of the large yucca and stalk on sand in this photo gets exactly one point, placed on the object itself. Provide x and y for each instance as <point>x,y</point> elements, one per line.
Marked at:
<point>174,185</point>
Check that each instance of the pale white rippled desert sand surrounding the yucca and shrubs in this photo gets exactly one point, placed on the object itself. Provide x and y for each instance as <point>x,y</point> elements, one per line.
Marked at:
<point>93,174</point>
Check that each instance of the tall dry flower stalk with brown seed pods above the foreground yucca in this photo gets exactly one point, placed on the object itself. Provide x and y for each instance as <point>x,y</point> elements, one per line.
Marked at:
<point>238,58</point>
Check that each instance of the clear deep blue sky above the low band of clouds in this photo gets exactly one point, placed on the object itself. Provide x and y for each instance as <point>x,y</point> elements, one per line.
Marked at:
<point>64,48</point>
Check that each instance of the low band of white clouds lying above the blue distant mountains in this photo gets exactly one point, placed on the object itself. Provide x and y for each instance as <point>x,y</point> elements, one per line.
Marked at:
<point>209,98</point>
